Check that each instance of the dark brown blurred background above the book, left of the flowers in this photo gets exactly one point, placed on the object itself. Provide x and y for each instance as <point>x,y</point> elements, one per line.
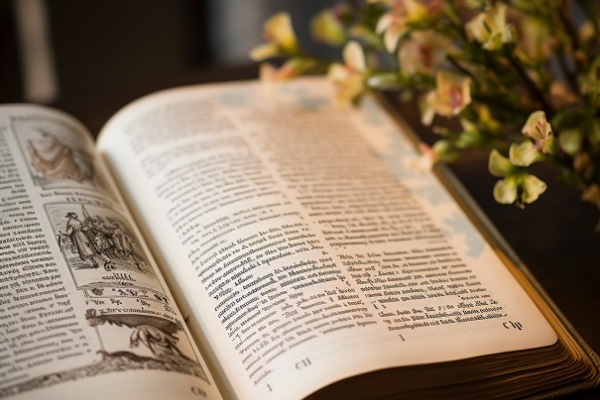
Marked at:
<point>106,53</point>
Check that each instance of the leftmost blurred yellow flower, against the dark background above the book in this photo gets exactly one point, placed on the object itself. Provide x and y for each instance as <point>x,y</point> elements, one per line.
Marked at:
<point>280,36</point>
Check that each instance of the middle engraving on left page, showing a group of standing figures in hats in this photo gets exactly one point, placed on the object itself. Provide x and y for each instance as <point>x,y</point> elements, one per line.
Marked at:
<point>104,257</point>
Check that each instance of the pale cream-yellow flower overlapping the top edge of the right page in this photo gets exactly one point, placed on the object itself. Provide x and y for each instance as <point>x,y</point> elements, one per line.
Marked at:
<point>349,77</point>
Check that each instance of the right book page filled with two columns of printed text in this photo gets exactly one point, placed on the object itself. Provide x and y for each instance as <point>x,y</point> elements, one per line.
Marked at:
<point>305,246</point>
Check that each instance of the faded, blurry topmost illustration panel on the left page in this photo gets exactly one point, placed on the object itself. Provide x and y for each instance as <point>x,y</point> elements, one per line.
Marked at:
<point>56,155</point>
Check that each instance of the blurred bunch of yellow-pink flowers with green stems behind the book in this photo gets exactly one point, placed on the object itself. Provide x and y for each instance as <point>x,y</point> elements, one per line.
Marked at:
<point>520,78</point>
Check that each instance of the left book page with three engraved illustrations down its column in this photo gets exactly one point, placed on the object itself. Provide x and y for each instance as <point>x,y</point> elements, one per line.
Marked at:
<point>83,310</point>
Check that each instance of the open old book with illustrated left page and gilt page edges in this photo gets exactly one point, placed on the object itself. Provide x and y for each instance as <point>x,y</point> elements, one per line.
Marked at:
<point>249,241</point>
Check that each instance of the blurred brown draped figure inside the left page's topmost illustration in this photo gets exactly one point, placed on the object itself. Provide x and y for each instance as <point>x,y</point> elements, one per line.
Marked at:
<point>53,159</point>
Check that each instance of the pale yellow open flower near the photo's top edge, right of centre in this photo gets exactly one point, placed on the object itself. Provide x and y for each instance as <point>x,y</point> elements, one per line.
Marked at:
<point>490,28</point>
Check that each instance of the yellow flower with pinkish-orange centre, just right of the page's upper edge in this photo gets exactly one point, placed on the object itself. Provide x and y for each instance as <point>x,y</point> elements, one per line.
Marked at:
<point>451,96</point>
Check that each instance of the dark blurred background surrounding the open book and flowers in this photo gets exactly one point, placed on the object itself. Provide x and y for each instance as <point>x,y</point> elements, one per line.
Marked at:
<point>106,53</point>
